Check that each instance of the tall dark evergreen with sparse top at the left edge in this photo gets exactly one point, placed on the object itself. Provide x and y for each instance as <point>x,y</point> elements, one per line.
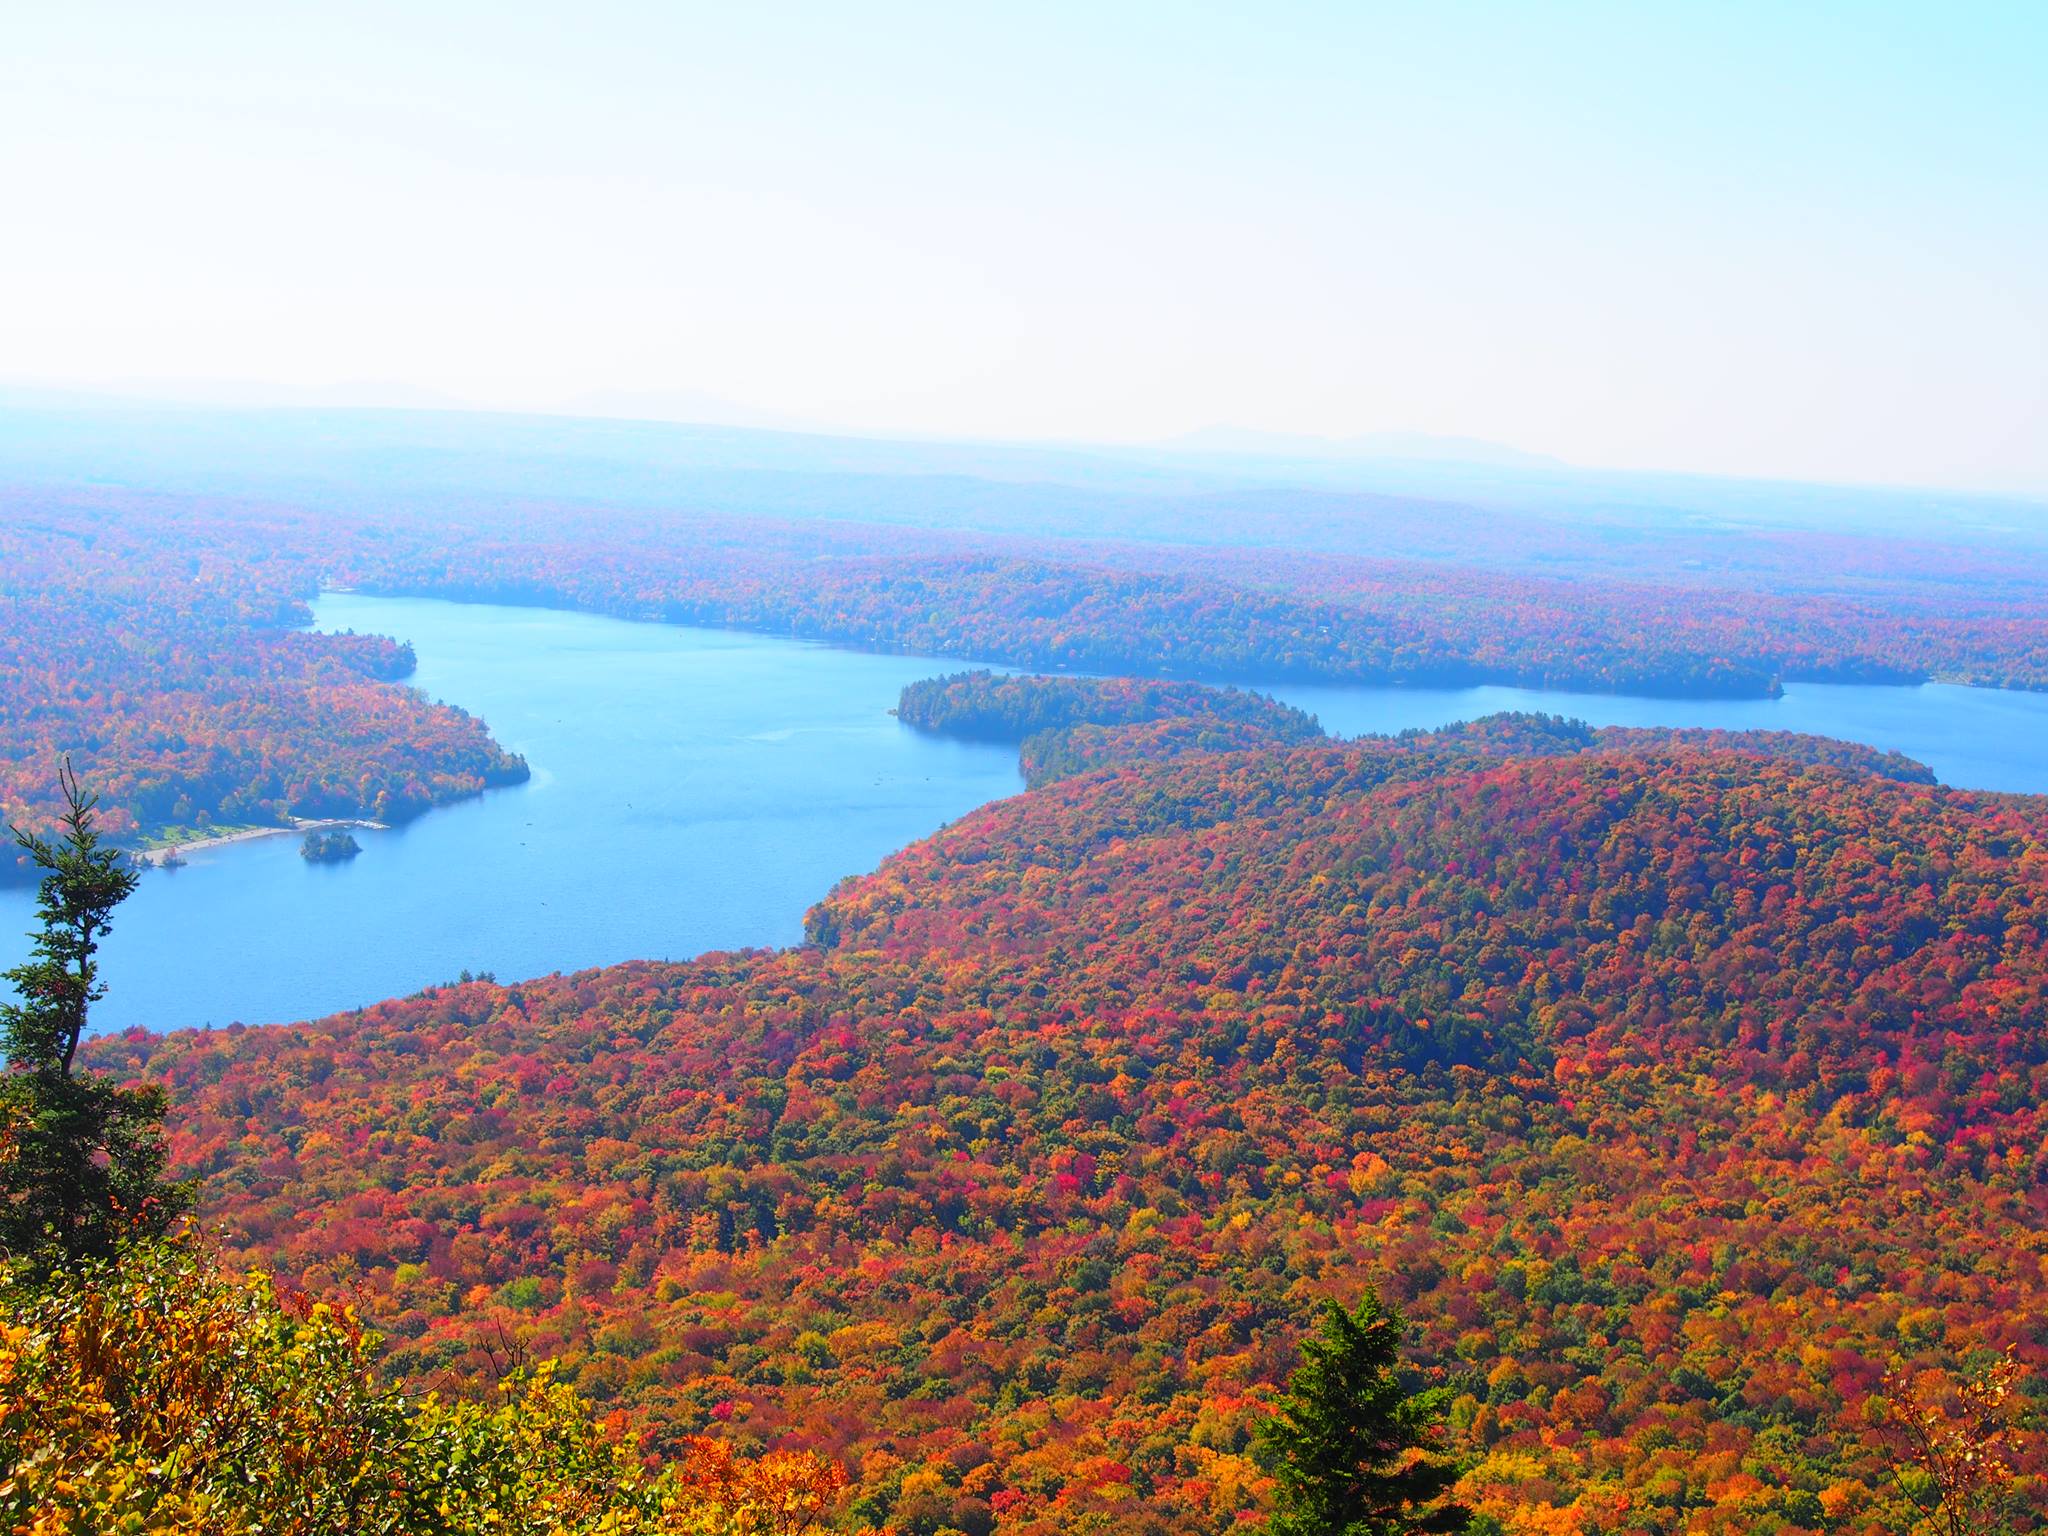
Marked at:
<point>81,1158</point>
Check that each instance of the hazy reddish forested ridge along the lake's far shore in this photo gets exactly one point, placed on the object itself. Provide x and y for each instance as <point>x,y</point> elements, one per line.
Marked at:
<point>1215,613</point>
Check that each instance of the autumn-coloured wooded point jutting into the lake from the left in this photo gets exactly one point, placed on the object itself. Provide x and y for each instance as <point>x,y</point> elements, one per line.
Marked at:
<point>181,687</point>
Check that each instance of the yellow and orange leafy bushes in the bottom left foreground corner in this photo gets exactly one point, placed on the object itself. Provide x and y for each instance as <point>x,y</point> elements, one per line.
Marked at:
<point>153,1394</point>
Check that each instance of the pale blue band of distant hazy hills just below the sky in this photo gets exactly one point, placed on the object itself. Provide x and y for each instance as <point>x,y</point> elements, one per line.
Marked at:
<point>1060,490</point>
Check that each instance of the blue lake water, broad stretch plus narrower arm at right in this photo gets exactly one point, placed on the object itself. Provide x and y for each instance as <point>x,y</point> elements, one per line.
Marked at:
<point>699,790</point>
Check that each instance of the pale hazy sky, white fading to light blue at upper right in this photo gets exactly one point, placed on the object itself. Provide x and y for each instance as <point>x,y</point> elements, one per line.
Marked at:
<point>1756,239</point>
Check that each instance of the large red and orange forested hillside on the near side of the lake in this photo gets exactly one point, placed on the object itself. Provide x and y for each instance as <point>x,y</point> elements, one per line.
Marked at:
<point>1676,1099</point>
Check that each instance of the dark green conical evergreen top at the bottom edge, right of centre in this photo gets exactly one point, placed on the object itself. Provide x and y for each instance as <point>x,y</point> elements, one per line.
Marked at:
<point>1351,1447</point>
